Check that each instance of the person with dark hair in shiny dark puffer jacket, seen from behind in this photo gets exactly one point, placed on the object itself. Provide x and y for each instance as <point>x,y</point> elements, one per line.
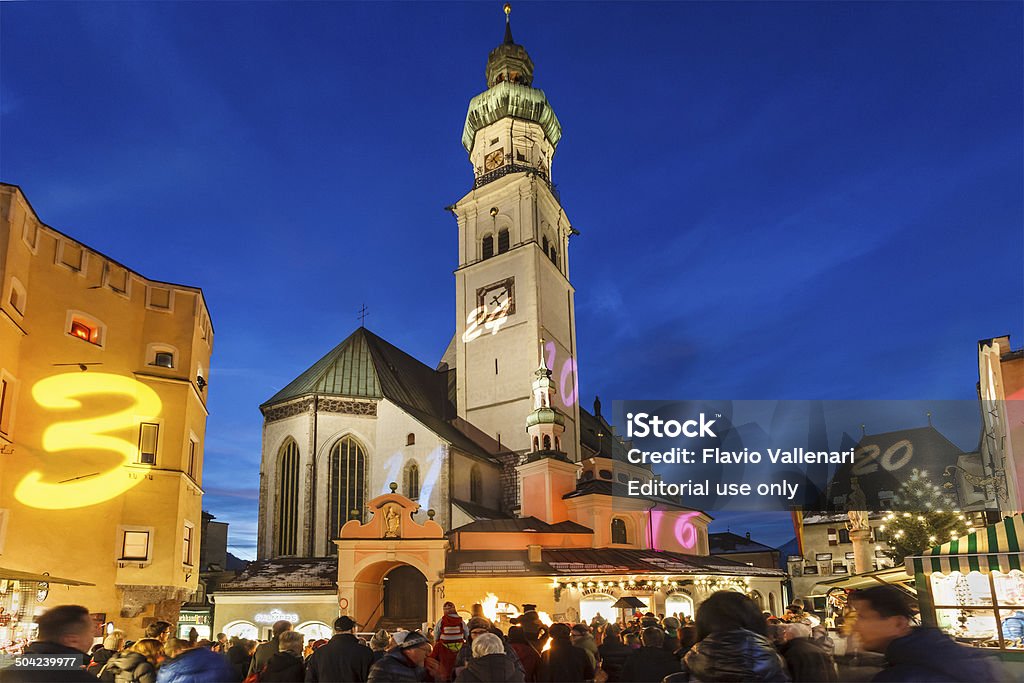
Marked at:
<point>732,644</point>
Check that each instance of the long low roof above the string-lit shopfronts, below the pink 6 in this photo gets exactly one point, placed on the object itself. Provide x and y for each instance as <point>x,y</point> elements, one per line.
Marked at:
<point>588,562</point>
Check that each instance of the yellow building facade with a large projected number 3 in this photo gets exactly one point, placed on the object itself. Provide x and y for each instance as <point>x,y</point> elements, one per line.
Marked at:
<point>103,419</point>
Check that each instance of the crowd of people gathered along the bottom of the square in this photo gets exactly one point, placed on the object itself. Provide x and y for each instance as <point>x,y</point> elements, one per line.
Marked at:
<point>730,641</point>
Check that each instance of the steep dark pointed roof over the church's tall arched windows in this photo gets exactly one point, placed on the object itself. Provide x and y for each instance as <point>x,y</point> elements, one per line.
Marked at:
<point>367,367</point>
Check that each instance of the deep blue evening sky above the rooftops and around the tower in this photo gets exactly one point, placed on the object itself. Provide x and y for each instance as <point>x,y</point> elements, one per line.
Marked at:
<point>777,200</point>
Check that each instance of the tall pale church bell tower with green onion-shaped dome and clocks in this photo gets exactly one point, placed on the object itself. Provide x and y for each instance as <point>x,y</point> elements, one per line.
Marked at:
<point>513,284</point>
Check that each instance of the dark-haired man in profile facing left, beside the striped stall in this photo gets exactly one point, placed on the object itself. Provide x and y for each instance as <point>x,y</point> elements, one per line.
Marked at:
<point>885,623</point>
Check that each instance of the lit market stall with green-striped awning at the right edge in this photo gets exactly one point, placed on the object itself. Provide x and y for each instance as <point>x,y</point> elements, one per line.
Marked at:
<point>973,588</point>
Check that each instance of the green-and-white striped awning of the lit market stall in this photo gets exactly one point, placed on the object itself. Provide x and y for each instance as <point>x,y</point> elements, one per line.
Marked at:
<point>996,548</point>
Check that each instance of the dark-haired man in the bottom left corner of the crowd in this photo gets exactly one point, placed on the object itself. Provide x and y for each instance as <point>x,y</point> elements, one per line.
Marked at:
<point>65,631</point>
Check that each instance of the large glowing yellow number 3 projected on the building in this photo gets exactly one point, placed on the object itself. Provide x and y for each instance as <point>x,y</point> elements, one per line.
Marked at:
<point>70,393</point>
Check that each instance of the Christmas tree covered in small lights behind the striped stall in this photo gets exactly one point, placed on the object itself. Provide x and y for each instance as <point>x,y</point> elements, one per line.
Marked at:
<point>922,517</point>
